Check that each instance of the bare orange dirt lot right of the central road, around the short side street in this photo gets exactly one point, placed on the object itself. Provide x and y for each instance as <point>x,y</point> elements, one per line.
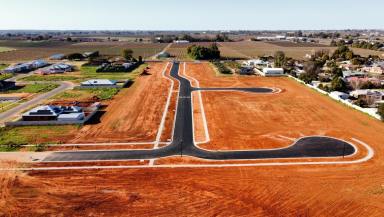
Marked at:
<point>249,121</point>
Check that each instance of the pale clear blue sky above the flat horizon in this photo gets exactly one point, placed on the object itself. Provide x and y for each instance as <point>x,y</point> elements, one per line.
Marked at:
<point>191,15</point>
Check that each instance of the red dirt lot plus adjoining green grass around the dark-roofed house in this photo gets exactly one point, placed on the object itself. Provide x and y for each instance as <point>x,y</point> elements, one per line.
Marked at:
<point>134,114</point>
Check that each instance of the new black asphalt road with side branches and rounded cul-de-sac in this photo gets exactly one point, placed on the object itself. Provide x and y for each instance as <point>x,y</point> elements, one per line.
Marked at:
<point>183,139</point>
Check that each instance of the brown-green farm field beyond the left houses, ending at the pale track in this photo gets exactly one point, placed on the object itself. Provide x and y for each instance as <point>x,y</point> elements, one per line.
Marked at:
<point>27,51</point>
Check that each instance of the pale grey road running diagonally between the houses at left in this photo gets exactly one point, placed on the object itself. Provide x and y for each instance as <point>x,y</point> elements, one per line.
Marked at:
<point>7,115</point>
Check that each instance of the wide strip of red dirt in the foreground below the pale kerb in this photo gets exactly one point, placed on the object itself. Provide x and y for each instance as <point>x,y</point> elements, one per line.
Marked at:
<point>267,191</point>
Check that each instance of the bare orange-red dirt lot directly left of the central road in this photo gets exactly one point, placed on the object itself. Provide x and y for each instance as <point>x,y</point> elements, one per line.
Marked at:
<point>135,113</point>
